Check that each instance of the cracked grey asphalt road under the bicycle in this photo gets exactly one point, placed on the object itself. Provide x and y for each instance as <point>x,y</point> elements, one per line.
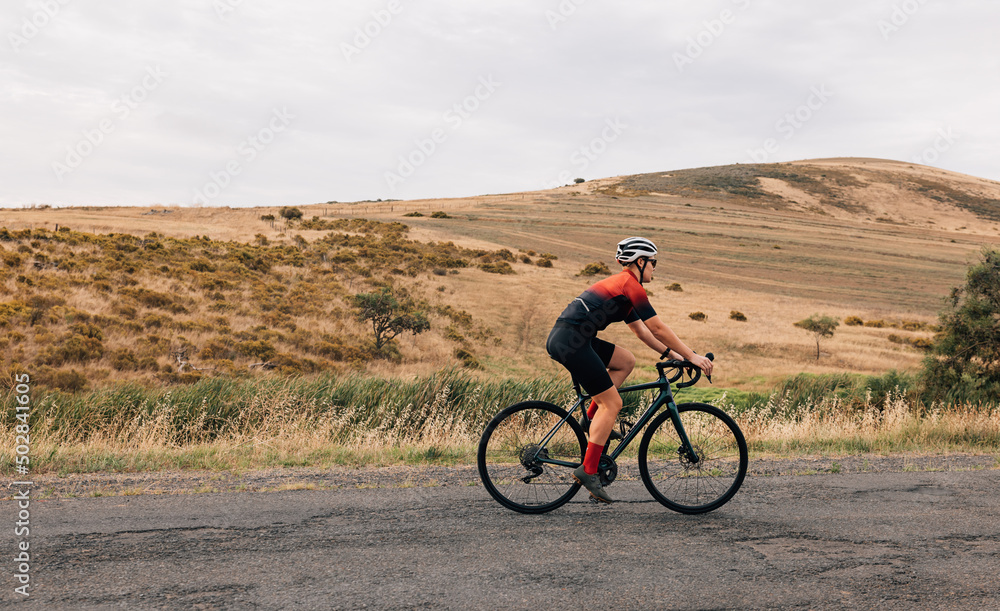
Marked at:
<point>911,540</point>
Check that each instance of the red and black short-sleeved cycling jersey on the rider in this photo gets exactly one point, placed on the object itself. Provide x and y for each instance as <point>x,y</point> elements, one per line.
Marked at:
<point>619,298</point>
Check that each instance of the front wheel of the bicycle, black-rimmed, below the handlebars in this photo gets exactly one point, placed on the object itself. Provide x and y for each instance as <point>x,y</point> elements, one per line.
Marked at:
<point>693,486</point>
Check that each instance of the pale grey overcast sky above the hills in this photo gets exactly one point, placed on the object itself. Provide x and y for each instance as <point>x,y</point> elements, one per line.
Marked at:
<point>259,102</point>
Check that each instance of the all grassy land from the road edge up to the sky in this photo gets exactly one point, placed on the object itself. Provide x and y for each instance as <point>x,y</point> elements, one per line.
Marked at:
<point>227,338</point>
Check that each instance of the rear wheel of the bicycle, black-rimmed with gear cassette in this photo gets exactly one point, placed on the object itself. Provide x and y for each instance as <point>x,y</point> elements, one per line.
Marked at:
<point>509,451</point>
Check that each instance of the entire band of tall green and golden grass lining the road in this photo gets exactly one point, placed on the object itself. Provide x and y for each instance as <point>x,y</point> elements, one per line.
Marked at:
<point>238,424</point>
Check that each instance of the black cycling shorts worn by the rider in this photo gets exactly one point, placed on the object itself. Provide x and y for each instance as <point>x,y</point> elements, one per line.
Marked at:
<point>586,358</point>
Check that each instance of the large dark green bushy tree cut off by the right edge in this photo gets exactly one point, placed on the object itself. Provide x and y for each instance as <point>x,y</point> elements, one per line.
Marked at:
<point>965,364</point>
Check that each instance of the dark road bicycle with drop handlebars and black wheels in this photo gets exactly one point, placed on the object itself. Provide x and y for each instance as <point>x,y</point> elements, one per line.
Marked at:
<point>692,457</point>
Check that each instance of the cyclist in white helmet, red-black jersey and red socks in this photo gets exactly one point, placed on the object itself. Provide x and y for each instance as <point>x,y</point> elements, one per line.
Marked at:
<point>600,366</point>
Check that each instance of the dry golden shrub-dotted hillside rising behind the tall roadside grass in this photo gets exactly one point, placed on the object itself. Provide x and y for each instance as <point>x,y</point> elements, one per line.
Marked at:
<point>95,295</point>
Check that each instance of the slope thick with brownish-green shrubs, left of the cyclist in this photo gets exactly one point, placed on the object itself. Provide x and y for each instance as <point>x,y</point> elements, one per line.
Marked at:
<point>83,309</point>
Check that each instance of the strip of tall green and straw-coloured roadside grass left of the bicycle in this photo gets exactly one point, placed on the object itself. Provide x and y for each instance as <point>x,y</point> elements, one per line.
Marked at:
<point>232,423</point>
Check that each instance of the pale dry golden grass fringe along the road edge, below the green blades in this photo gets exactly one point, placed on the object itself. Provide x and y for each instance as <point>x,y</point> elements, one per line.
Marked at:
<point>277,430</point>
